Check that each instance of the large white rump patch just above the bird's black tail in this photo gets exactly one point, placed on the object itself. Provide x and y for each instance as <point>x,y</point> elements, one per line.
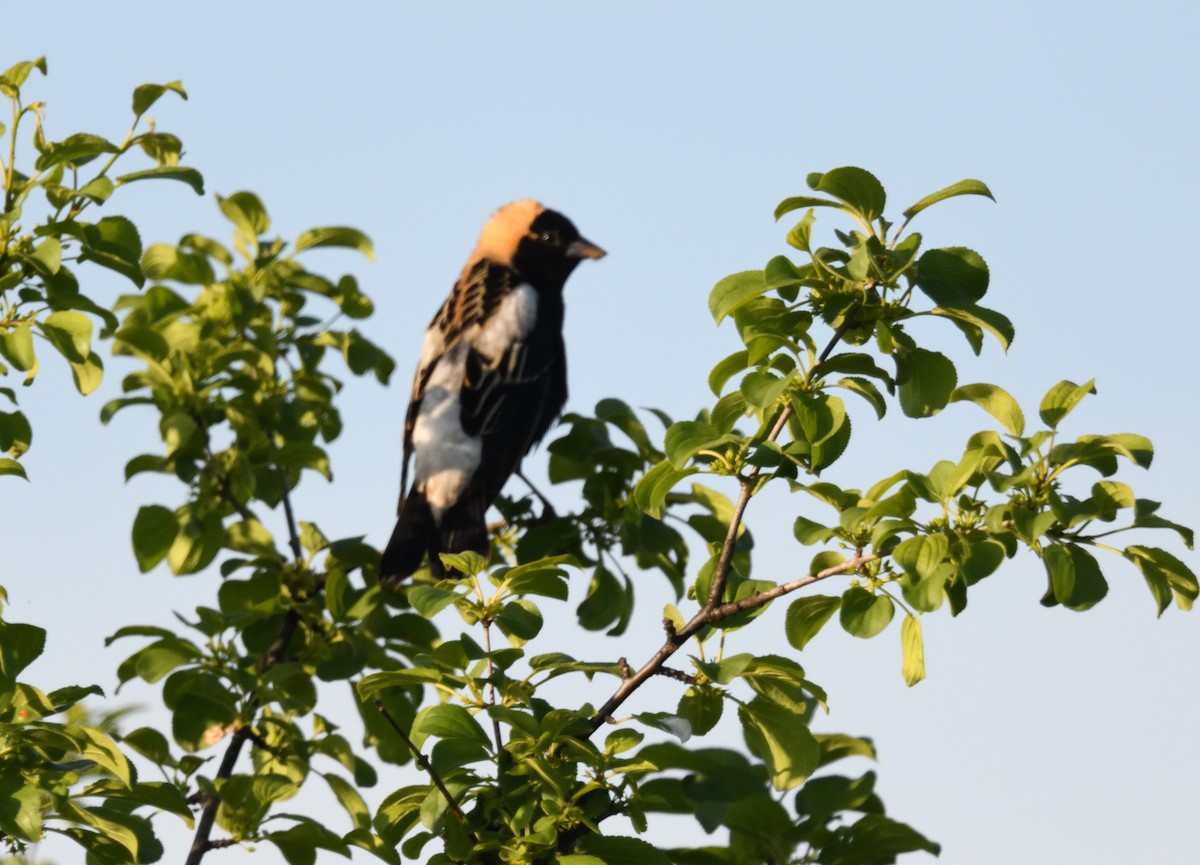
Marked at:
<point>446,456</point>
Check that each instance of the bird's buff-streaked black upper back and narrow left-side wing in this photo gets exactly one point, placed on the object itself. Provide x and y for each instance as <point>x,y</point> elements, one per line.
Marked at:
<point>472,301</point>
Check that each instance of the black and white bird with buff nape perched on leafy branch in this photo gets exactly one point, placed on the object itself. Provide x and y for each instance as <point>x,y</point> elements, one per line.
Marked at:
<point>491,382</point>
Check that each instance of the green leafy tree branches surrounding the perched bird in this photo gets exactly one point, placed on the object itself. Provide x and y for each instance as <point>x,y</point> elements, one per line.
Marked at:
<point>238,352</point>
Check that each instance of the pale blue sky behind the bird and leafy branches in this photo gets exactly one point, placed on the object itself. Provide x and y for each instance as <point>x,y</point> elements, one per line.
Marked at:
<point>669,133</point>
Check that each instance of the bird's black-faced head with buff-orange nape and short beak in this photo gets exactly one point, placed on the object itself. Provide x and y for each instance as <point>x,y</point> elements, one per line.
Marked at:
<point>542,245</point>
